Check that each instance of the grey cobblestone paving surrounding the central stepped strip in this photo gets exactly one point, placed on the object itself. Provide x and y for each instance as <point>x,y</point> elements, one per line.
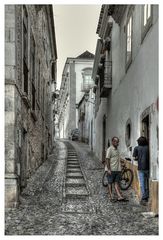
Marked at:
<point>41,210</point>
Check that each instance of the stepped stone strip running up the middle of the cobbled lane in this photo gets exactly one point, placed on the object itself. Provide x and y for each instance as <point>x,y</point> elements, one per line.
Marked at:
<point>75,193</point>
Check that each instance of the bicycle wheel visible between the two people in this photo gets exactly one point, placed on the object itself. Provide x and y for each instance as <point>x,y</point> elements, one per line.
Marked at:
<point>126,179</point>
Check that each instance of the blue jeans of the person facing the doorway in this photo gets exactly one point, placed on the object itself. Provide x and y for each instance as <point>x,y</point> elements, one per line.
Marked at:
<point>144,184</point>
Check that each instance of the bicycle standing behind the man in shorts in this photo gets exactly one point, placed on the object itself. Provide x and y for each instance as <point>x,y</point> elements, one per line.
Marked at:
<point>126,178</point>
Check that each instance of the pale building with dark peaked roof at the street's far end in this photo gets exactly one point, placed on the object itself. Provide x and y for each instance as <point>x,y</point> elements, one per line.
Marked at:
<point>76,71</point>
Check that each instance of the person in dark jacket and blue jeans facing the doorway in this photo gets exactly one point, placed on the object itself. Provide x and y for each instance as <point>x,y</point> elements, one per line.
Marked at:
<point>141,154</point>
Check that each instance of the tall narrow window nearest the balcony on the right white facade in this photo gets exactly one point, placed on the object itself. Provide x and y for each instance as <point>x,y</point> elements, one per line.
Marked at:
<point>129,41</point>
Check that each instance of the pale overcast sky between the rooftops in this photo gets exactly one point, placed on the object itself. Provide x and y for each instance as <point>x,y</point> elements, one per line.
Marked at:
<point>75,27</point>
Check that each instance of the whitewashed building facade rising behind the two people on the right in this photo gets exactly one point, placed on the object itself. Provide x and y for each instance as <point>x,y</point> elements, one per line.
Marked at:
<point>126,76</point>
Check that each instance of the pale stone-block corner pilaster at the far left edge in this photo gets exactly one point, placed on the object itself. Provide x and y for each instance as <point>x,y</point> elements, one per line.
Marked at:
<point>11,179</point>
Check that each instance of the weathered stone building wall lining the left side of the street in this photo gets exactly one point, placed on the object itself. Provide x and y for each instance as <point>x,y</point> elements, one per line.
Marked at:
<point>27,129</point>
